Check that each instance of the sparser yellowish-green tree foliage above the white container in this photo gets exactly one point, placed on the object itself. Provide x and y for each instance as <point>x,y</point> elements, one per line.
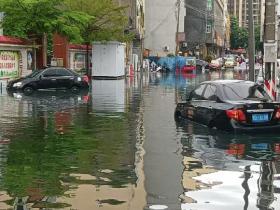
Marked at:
<point>109,23</point>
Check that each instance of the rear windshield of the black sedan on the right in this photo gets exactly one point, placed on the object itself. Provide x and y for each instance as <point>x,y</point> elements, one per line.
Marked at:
<point>244,91</point>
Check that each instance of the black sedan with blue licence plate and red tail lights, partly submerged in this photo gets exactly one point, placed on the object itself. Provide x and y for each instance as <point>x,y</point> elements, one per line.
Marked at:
<point>234,105</point>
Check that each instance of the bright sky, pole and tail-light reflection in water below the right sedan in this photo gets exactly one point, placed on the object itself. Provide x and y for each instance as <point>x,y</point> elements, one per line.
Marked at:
<point>217,163</point>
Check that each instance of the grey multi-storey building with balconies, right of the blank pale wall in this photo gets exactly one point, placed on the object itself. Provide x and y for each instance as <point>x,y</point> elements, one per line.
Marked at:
<point>205,28</point>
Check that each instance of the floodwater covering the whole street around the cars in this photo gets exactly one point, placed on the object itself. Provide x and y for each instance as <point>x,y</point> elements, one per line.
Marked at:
<point>117,147</point>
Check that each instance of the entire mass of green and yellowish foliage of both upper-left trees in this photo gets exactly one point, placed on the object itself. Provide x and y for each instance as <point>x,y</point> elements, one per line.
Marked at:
<point>79,20</point>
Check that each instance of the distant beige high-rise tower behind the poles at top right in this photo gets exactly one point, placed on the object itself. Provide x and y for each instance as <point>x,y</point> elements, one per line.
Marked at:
<point>239,9</point>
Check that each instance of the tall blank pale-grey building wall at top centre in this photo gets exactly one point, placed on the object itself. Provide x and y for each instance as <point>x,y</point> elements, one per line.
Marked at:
<point>160,25</point>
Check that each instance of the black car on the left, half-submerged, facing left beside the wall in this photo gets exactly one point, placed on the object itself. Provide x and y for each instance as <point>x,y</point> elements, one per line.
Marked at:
<point>49,78</point>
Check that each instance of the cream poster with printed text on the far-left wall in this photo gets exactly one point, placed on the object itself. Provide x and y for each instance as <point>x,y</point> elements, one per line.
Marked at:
<point>9,64</point>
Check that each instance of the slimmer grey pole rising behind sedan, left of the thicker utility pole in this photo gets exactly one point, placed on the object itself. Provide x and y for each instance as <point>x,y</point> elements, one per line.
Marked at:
<point>251,42</point>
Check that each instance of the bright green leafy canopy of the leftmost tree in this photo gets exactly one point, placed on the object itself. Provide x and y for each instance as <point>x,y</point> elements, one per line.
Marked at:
<point>36,17</point>
